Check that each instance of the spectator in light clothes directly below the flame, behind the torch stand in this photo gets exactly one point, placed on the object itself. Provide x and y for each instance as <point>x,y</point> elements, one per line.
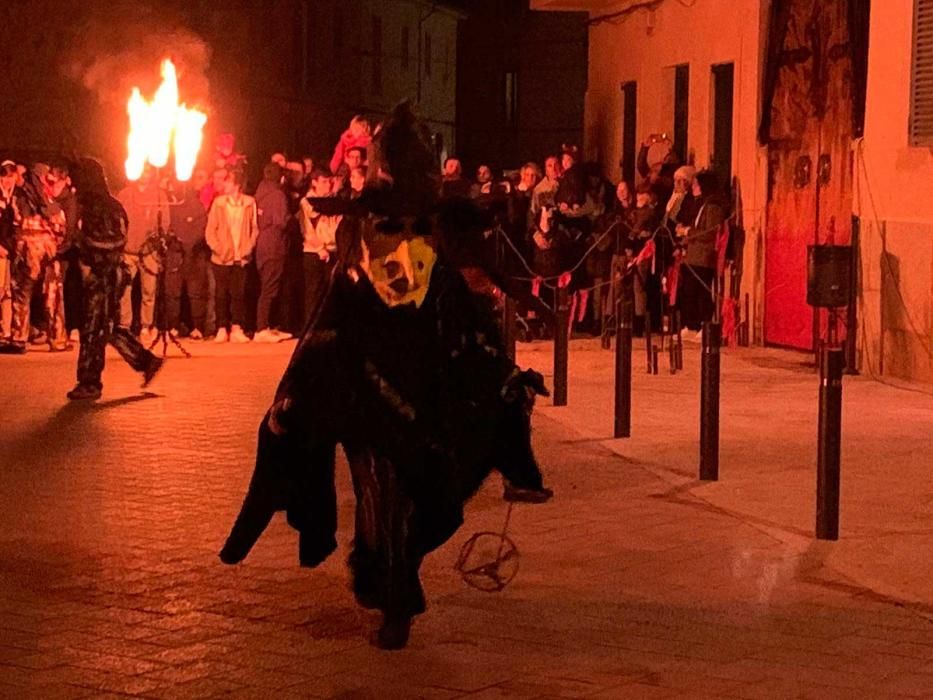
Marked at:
<point>146,208</point>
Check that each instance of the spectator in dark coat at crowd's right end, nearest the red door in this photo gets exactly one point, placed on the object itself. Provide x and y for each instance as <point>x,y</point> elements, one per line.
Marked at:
<point>700,238</point>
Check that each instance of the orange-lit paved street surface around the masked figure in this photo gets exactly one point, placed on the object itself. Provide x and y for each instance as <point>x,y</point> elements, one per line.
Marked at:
<point>635,582</point>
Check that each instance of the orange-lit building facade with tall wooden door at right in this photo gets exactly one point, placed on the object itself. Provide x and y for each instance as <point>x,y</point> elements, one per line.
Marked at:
<point>818,169</point>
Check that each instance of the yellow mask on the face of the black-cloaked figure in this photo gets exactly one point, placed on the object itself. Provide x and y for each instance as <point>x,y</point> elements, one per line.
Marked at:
<point>398,264</point>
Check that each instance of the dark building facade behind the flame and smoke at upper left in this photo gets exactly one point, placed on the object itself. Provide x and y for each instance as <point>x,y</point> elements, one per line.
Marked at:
<point>283,75</point>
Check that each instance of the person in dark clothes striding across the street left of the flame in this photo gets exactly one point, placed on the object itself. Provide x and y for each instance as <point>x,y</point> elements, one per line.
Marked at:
<point>100,241</point>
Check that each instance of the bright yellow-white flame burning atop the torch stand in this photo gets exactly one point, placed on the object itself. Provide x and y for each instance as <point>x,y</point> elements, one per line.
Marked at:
<point>158,126</point>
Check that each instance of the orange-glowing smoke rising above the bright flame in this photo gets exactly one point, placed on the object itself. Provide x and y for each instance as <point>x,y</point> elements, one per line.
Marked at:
<point>121,44</point>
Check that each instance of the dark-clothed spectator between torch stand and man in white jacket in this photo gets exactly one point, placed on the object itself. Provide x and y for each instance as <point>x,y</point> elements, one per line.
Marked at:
<point>186,264</point>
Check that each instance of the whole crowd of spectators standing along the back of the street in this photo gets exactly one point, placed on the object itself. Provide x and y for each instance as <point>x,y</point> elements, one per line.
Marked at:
<point>210,261</point>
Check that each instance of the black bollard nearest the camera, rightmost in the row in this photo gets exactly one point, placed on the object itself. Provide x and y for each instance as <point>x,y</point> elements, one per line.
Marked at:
<point>832,363</point>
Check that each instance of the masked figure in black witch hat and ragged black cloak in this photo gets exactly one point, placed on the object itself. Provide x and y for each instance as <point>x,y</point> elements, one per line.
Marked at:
<point>404,367</point>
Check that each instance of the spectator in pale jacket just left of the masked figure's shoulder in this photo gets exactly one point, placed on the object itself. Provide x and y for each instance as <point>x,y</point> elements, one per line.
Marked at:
<point>319,235</point>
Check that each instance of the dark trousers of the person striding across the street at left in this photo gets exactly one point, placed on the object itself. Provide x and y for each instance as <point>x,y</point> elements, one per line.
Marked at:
<point>103,288</point>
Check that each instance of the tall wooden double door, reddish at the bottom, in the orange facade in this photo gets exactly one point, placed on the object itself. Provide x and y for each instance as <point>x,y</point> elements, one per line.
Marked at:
<point>810,171</point>
